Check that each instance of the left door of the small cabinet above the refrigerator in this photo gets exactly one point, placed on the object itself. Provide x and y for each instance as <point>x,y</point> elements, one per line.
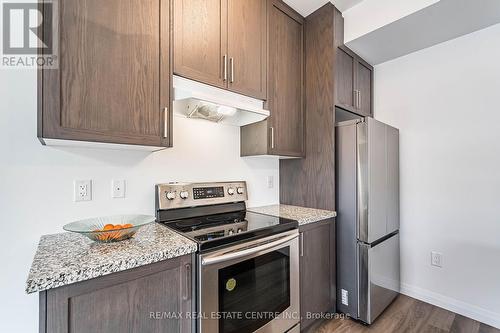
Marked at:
<point>345,79</point>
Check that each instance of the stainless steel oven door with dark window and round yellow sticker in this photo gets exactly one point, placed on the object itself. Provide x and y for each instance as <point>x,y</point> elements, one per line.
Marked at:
<point>250,287</point>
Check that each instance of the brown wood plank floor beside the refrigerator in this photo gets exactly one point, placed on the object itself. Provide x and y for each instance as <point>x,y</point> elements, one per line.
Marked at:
<point>408,315</point>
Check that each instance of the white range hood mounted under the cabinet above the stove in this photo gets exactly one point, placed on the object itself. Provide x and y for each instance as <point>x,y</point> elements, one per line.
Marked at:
<point>201,101</point>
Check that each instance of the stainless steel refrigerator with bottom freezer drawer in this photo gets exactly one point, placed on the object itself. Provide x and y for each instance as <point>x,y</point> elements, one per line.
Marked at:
<point>367,225</point>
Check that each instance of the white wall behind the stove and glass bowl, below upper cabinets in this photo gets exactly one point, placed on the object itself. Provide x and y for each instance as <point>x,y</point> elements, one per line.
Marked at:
<point>36,183</point>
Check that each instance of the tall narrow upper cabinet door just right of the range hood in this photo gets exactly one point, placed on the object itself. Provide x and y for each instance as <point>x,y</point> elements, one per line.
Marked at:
<point>286,64</point>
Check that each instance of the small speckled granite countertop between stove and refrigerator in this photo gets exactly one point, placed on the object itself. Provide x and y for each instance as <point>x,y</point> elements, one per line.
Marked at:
<point>302,214</point>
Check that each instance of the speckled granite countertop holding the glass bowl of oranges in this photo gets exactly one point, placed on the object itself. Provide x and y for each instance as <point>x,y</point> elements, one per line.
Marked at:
<point>66,258</point>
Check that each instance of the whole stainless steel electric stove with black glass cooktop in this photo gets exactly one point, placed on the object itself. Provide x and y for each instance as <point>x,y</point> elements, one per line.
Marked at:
<point>247,271</point>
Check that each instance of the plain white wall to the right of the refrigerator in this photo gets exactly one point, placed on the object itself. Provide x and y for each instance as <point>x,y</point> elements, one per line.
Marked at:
<point>445,101</point>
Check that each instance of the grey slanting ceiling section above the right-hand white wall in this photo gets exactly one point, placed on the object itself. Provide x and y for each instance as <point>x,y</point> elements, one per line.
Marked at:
<point>440,22</point>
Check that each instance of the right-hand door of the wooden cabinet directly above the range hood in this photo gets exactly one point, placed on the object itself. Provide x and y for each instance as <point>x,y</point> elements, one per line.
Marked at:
<point>247,47</point>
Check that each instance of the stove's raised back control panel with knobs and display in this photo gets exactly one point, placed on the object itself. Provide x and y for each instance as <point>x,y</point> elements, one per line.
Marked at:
<point>181,195</point>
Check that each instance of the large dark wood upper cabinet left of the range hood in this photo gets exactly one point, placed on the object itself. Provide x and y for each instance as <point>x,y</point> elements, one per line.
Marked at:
<point>113,80</point>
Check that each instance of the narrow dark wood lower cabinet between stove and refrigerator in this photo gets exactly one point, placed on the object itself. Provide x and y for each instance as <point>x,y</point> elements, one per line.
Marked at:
<point>317,271</point>
